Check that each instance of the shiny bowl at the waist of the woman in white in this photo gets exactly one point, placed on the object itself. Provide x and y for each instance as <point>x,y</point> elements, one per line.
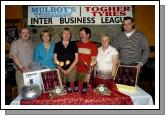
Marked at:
<point>104,74</point>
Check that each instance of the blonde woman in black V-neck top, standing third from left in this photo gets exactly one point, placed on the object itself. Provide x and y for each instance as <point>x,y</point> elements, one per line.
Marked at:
<point>66,57</point>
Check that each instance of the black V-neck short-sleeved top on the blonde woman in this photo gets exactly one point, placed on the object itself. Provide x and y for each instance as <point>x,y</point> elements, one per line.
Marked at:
<point>64,54</point>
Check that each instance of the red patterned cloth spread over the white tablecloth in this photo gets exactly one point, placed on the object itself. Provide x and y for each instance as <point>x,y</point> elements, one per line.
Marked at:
<point>90,98</point>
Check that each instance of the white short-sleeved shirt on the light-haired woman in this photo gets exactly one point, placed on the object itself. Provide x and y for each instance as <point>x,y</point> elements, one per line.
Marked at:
<point>104,58</point>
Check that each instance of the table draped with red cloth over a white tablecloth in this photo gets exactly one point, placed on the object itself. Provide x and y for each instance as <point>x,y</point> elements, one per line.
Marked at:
<point>140,97</point>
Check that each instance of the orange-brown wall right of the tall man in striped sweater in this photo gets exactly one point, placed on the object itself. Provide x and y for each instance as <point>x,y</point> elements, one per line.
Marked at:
<point>145,21</point>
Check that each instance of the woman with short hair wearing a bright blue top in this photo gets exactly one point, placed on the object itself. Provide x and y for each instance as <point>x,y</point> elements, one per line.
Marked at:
<point>43,53</point>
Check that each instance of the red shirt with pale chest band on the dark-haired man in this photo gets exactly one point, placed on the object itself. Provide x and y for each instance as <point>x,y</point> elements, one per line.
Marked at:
<point>85,53</point>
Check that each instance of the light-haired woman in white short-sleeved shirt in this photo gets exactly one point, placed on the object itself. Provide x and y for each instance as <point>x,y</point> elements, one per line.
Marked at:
<point>107,61</point>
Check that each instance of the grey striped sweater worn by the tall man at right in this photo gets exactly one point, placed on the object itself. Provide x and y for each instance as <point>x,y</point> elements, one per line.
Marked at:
<point>133,49</point>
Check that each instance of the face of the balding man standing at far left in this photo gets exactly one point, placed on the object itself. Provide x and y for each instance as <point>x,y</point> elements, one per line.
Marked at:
<point>25,34</point>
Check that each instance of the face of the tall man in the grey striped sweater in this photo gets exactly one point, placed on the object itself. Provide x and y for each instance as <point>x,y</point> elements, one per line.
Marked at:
<point>128,25</point>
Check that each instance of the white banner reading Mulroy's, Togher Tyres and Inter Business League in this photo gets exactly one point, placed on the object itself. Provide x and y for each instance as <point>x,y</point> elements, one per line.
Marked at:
<point>77,15</point>
